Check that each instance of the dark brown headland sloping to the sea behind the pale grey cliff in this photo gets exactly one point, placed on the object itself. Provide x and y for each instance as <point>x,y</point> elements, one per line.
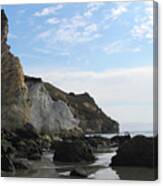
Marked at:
<point>91,118</point>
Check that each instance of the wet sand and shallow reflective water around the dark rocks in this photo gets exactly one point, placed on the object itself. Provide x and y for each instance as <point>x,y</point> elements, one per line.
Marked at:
<point>48,168</point>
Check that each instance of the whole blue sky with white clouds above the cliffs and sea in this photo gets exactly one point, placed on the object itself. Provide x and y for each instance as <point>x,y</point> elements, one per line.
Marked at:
<point>105,49</point>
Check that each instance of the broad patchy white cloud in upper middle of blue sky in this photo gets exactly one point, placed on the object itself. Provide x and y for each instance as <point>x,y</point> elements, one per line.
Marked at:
<point>76,29</point>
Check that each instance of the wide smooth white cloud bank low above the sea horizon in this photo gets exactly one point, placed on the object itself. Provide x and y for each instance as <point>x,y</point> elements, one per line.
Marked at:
<point>124,94</point>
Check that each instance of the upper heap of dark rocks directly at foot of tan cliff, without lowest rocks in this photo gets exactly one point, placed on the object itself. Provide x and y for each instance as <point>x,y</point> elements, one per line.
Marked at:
<point>22,143</point>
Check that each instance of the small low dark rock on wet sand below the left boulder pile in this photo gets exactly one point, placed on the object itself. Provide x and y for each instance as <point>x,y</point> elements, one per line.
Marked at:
<point>21,163</point>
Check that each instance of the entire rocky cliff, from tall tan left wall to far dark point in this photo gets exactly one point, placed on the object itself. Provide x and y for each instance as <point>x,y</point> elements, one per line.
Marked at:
<point>27,99</point>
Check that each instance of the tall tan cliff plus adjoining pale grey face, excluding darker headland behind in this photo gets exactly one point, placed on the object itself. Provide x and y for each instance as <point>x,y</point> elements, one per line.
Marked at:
<point>25,99</point>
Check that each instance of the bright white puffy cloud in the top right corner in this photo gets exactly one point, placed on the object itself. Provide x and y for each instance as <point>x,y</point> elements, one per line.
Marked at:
<point>143,27</point>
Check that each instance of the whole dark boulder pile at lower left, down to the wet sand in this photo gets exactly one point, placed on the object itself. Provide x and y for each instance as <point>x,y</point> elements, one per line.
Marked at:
<point>18,146</point>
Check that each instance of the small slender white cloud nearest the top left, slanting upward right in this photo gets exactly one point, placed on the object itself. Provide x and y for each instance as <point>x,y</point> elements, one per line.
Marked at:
<point>48,10</point>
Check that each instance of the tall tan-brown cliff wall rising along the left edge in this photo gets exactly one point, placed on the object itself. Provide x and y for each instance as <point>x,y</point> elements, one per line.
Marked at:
<point>15,102</point>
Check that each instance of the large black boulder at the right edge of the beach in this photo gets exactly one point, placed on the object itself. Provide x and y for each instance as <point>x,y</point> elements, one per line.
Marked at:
<point>139,151</point>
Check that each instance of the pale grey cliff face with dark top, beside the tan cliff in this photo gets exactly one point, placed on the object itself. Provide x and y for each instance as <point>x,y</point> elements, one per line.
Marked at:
<point>48,115</point>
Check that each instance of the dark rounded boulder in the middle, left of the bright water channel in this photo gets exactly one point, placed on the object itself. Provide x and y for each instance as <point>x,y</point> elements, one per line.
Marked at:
<point>73,151</point>
